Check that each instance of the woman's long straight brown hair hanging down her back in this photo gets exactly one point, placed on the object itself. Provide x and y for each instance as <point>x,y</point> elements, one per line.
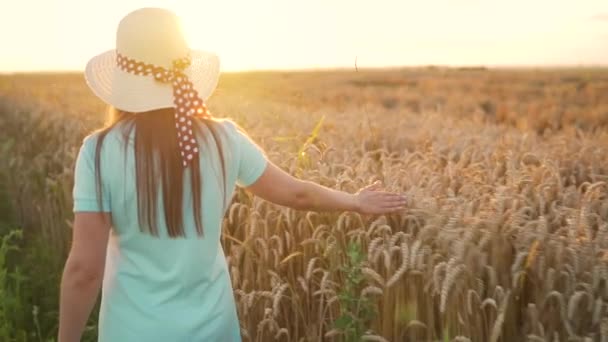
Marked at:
<point>157,159</point>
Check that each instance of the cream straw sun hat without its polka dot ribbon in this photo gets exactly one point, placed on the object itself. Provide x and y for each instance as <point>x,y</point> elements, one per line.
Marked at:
<point>153,37</point>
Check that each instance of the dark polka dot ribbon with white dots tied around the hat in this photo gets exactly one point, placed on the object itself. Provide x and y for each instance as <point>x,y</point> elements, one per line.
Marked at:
<point>186,99</point>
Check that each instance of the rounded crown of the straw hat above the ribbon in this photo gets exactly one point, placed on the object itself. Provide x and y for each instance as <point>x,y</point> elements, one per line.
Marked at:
<point>153,36</point>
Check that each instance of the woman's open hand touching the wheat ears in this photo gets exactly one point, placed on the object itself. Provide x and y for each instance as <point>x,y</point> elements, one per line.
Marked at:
<point>373,200</point>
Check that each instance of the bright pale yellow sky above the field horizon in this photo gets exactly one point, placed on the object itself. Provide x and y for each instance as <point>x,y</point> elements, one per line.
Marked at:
<point>60,35</point>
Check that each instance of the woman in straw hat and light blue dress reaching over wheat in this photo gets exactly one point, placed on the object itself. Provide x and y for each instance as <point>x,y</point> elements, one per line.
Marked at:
<point>151,190</point>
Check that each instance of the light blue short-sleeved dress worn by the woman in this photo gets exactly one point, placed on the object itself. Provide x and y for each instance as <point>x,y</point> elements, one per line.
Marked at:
<point>157,288</point>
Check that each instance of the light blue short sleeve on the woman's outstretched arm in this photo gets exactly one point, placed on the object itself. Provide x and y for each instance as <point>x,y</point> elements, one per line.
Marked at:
<point>252,160</point>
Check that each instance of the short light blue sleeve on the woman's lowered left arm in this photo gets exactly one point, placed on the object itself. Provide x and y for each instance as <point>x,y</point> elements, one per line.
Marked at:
<point>85,189</point>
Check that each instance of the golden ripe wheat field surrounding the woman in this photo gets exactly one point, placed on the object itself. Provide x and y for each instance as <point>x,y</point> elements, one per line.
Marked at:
<point>505,237</point>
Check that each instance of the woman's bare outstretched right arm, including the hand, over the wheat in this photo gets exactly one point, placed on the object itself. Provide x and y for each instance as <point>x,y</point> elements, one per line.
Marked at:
<point>279,187</point>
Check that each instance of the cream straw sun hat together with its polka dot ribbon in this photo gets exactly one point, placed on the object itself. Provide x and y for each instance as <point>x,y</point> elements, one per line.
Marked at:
<point>152,67</point>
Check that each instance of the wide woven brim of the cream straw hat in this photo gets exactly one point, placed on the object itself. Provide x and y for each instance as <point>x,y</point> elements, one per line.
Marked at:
<point>136,93</point>
